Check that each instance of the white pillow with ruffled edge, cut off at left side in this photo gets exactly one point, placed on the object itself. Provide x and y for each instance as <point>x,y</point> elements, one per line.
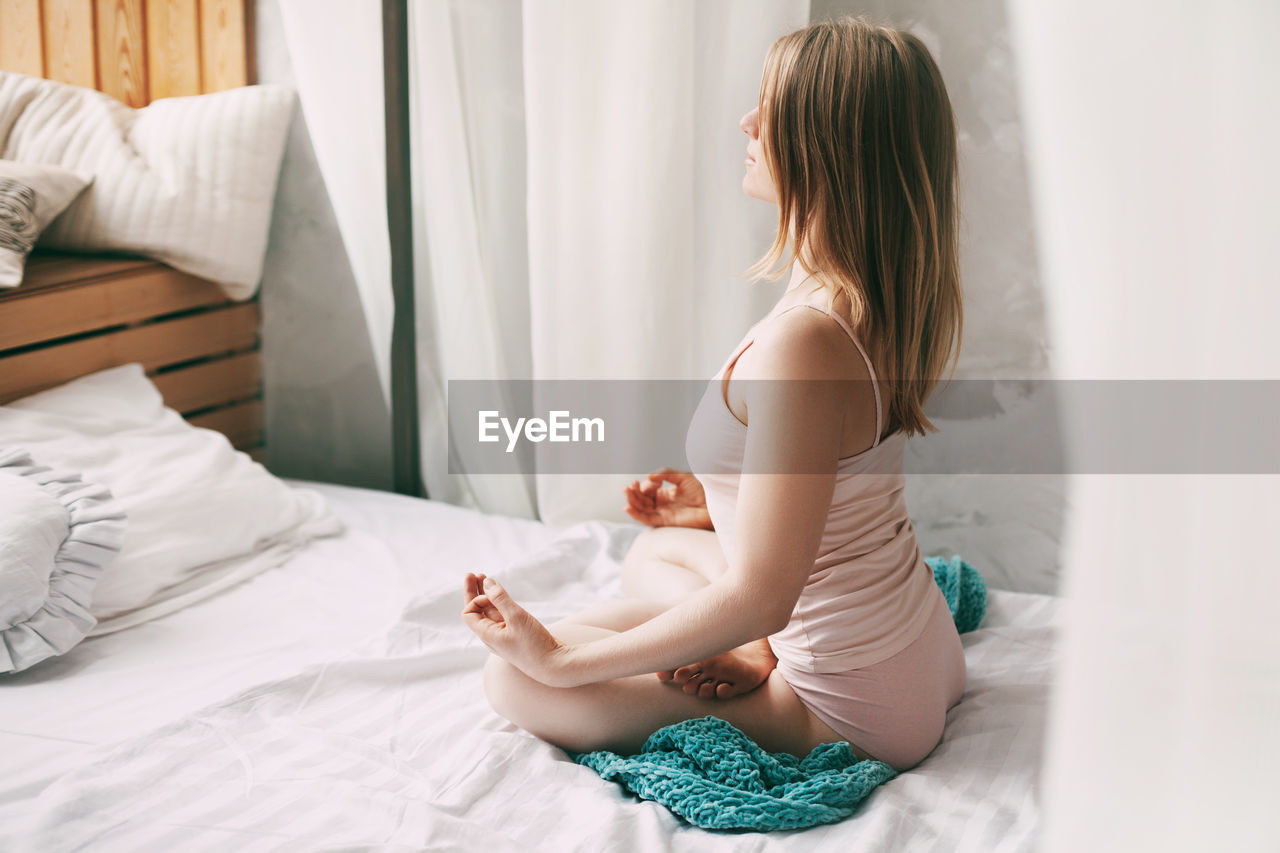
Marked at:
<point>57,535</point>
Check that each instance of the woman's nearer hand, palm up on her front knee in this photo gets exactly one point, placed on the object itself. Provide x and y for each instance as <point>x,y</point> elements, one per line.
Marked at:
<point>511,632</point>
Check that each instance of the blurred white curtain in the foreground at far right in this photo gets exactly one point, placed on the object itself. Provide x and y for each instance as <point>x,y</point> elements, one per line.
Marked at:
<point>1153,136</point>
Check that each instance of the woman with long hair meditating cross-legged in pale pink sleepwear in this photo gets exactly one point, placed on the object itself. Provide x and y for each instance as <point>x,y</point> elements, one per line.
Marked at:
<point>797,586</point>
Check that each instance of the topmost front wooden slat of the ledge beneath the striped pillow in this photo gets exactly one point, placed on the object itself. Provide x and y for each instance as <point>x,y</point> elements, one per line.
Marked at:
<point>58,313</point>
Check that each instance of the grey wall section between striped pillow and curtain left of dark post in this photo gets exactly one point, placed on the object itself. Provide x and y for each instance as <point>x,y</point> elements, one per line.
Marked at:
<point>326,416</point>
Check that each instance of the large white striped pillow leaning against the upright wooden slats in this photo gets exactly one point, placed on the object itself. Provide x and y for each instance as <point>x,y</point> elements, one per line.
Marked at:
<point>189,181</point>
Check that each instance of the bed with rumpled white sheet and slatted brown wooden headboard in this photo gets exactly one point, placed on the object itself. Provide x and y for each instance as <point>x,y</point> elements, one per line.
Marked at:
<point>335,701</point>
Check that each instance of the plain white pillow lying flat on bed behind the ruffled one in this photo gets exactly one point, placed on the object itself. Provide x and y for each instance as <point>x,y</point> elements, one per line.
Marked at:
<point>203,517</point>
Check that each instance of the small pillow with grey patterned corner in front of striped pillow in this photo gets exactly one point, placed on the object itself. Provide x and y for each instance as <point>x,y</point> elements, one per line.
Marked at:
<point>31,197</point>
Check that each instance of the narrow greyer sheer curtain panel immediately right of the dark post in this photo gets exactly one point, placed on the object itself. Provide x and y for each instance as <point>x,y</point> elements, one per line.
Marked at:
<point>469,226</point>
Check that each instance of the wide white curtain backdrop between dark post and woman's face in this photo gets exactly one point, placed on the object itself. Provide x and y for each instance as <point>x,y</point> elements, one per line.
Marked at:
<point>579,209</point>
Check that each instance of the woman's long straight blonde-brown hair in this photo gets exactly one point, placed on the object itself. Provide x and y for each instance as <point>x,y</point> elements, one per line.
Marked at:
<point>858,134</point>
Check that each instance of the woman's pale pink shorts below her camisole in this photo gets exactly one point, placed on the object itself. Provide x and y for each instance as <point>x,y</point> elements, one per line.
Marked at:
<point>894,710</point>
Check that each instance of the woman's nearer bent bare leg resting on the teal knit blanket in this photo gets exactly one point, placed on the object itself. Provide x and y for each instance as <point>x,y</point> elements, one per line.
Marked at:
<point>621,714</point>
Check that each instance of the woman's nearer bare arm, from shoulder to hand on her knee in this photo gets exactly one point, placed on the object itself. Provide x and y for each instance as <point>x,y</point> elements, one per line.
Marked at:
<point>796,428</point>
